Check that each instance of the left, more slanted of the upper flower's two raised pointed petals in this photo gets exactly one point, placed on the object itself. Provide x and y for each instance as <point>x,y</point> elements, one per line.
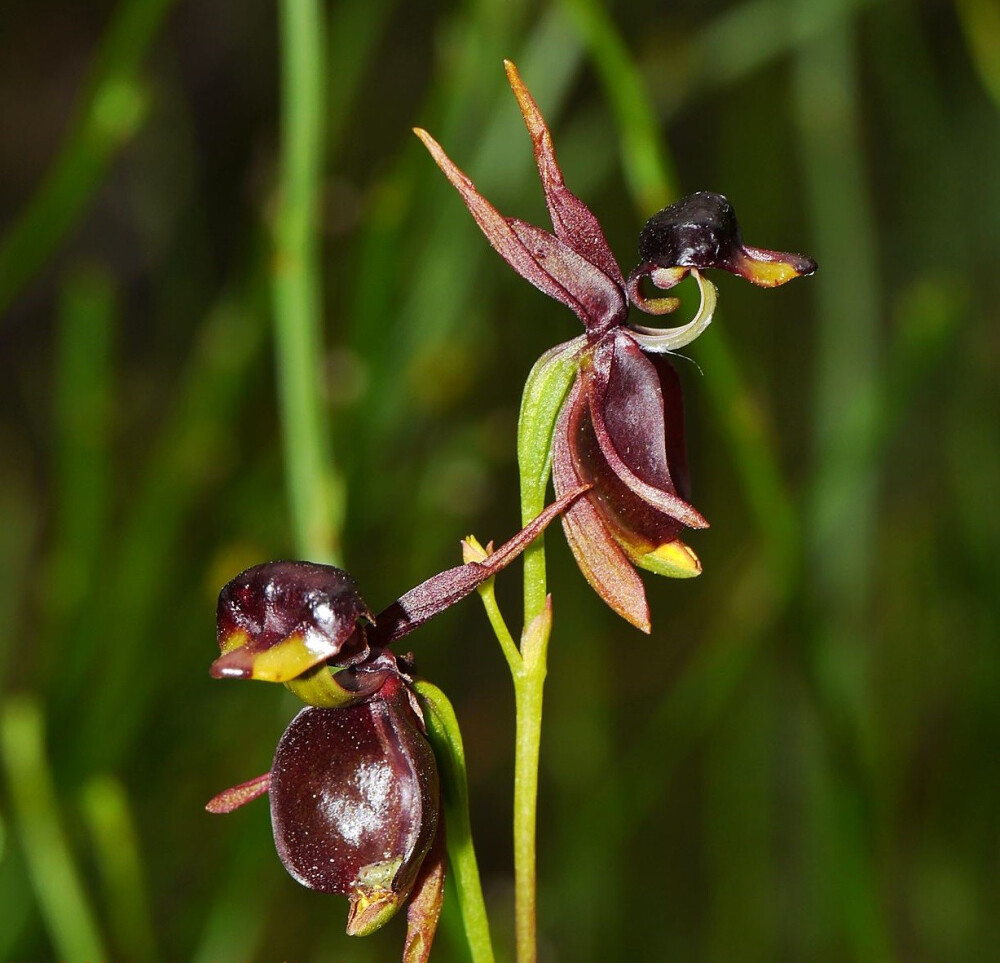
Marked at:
<point>546,262</point>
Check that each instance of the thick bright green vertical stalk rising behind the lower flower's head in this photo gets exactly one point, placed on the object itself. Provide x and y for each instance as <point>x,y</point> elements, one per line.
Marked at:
<point>315,494</point>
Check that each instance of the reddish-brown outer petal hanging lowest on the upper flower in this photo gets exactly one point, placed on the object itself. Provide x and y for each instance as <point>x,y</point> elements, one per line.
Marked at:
<point>601,560</point>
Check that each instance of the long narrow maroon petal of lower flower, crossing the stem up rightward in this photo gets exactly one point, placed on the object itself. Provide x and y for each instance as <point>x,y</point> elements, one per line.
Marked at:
<point>448,587</point>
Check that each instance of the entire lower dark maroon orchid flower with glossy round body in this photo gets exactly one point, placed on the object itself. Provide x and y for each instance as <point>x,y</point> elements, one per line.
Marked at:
<point>355,805</point>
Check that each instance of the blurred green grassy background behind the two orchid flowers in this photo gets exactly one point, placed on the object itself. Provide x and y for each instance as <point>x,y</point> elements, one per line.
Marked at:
<point>800,762</point>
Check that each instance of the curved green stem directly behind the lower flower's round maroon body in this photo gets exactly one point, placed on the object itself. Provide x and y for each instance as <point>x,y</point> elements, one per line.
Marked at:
<point>446,738</point>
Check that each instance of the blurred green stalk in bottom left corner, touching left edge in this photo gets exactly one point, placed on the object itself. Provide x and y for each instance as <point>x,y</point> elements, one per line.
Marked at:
<point>59,890</point>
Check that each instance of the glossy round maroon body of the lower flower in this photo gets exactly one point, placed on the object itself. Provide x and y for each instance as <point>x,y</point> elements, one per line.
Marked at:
<point>354,799</point>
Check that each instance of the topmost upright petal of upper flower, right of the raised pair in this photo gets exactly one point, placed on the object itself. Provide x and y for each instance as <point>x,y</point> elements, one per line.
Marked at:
<point>573,221</point>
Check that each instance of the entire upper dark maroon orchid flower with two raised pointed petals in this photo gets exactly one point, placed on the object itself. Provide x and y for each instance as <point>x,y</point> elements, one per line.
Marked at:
<point>621,428</point>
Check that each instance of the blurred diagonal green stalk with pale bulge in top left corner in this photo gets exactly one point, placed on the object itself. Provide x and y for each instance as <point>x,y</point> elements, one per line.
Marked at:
<point>113,110</point>
